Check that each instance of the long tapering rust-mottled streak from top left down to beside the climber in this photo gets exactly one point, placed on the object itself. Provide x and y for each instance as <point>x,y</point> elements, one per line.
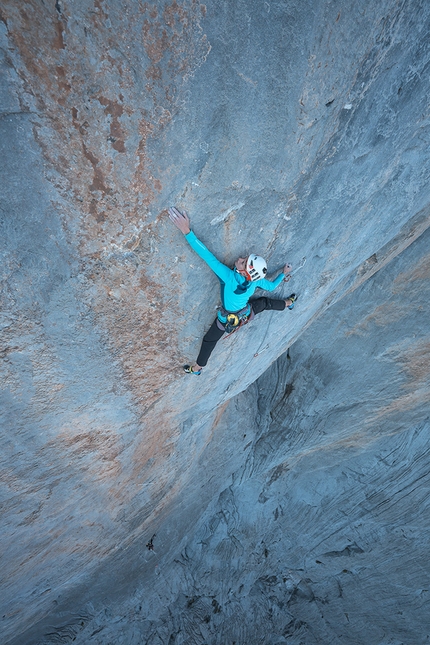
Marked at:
<point>90,95</point>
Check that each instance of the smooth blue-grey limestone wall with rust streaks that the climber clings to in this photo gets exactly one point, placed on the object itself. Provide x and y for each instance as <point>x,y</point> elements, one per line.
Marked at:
<point>298,130</point>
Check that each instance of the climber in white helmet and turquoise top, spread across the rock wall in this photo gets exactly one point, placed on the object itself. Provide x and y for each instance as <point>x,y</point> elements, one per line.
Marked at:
<point>237,286</point>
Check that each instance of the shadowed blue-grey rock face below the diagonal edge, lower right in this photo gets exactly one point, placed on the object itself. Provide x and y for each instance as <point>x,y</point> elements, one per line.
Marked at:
<point>320,531</point>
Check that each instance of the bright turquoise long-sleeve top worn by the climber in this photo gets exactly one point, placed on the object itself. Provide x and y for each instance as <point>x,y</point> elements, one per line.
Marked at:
<point>236,290</point>
